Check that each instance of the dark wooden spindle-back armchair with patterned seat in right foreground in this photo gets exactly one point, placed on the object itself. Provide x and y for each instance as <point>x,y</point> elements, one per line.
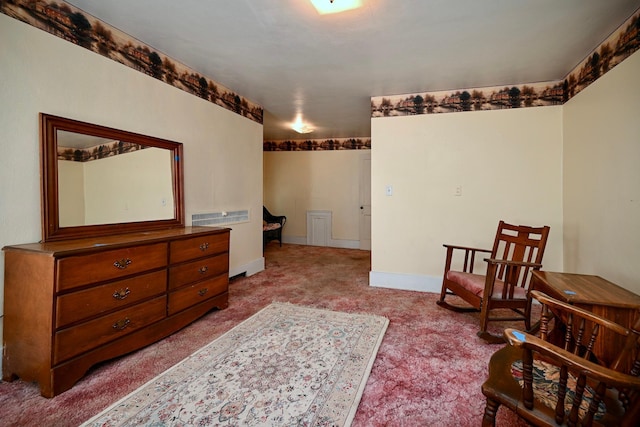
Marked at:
<point>551,385</point>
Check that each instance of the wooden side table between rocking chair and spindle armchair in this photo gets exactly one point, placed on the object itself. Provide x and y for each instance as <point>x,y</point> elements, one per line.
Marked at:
<point>597,295</point>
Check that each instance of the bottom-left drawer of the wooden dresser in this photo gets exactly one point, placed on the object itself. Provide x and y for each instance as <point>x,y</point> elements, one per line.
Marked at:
<point>78,339</point>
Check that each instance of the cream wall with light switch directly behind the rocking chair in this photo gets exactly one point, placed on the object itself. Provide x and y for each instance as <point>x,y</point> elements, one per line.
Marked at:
<point>508,164</point>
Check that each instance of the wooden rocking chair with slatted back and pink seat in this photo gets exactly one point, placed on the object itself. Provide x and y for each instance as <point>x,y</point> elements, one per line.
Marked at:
<point>517,249</point>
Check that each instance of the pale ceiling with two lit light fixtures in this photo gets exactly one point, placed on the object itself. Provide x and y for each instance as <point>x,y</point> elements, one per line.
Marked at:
<point>286,57</point>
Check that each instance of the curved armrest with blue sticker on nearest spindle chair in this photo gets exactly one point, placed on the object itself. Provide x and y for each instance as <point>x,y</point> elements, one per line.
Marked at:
<point>576,363</point>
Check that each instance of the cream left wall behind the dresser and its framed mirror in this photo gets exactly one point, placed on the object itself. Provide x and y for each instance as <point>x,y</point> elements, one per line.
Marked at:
<point>43,73</point>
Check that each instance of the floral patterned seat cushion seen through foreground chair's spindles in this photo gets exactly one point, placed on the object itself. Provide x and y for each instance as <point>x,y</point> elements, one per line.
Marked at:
<point>546,378</point>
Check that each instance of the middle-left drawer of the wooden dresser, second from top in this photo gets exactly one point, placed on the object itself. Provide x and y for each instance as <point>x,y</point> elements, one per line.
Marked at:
<point>94,301</point>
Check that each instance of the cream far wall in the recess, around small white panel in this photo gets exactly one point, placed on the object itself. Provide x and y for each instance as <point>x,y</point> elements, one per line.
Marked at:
<point>298,181</point>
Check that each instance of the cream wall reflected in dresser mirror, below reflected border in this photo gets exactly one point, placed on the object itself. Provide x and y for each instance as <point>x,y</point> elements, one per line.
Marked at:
<point>128,187</point>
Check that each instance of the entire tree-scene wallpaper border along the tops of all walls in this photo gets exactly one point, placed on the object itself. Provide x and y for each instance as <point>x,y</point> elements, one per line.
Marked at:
<point>72,24</point>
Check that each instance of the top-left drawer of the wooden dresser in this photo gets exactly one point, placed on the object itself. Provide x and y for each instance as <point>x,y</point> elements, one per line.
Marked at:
<point>82,270</point>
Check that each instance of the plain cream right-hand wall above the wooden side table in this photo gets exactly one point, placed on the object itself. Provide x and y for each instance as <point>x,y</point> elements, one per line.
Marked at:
<point>602,177</point>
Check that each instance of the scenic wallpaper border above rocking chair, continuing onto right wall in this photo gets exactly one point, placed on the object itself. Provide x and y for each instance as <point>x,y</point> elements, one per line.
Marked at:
<point>616,48</point>
